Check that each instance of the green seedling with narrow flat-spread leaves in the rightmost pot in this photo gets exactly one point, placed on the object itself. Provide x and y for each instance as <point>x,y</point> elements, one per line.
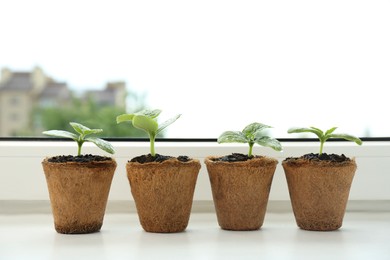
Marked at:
<point>324,136</point>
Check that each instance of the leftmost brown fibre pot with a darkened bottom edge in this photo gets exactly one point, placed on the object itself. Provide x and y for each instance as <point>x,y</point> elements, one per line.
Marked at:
<point>78,194</point>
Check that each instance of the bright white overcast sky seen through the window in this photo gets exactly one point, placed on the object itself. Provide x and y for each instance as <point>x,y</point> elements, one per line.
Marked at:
<point>222,64</point>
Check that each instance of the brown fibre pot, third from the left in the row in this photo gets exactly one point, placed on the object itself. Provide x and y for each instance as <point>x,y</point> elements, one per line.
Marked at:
<point>240,191</point>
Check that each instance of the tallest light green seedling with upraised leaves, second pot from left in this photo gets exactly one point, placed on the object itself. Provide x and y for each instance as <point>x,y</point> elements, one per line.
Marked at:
<point>146,120</point>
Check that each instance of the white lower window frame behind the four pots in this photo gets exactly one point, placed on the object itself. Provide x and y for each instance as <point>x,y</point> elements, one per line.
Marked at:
<point>22,177</point>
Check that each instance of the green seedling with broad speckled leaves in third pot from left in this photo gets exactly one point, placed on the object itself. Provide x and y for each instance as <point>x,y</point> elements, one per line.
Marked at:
<point>251,134</point>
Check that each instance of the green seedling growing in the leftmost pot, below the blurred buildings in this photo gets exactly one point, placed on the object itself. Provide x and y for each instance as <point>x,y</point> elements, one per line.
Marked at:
<point>83,131</point>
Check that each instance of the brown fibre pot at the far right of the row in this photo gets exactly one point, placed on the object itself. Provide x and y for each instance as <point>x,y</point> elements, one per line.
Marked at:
<point>319,192</point>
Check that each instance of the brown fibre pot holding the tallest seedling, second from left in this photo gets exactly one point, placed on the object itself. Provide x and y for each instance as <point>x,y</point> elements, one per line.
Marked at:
<point>163,193</point>
